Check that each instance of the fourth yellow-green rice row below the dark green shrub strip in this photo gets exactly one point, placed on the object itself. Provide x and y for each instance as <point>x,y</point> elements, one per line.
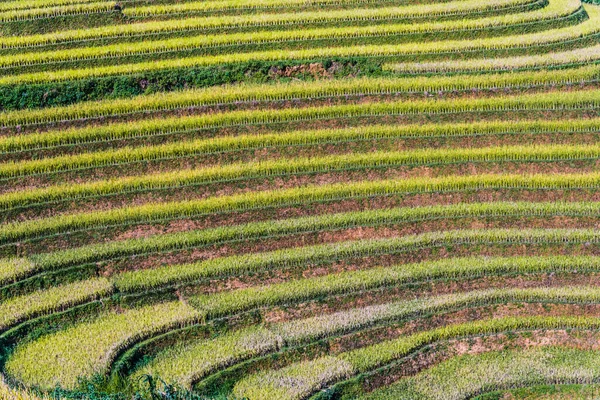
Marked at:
<point>284,167</point>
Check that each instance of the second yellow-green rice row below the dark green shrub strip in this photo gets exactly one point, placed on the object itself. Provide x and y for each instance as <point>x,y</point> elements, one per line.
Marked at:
<point>552,101</point>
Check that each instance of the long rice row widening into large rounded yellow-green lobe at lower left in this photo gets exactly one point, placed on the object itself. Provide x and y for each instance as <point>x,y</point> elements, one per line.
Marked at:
<point>89,348</point>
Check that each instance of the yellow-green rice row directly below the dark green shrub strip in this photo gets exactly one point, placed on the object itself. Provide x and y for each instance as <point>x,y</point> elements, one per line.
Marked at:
<point>265,92</point>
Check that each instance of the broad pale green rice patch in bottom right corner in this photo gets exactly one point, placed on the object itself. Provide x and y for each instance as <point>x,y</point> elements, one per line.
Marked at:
<point>496,370</point>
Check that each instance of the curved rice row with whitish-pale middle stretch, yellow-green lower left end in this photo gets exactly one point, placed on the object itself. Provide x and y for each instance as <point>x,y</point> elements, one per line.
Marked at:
<point>186,363</point>
